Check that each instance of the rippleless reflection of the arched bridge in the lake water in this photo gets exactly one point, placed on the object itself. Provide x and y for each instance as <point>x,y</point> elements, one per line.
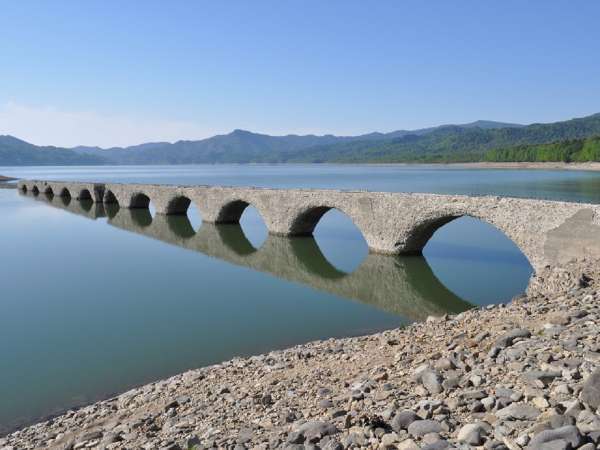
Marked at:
<point>405,286</point>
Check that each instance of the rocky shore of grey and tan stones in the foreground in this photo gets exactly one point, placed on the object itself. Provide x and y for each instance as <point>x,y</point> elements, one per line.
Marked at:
<point>522,375</point>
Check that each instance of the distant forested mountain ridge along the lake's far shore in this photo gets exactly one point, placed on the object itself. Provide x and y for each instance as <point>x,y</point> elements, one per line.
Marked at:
<point>463,142</point>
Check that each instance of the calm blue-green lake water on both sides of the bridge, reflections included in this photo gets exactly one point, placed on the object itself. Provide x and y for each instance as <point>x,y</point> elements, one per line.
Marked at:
<point>98,300</point>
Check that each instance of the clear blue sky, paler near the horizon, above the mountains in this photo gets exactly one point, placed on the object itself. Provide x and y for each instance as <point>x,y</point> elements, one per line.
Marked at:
<point>114,73</point>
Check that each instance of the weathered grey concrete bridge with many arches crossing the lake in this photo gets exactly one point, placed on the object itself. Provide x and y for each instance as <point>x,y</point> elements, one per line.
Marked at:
<point>547,232</point>
